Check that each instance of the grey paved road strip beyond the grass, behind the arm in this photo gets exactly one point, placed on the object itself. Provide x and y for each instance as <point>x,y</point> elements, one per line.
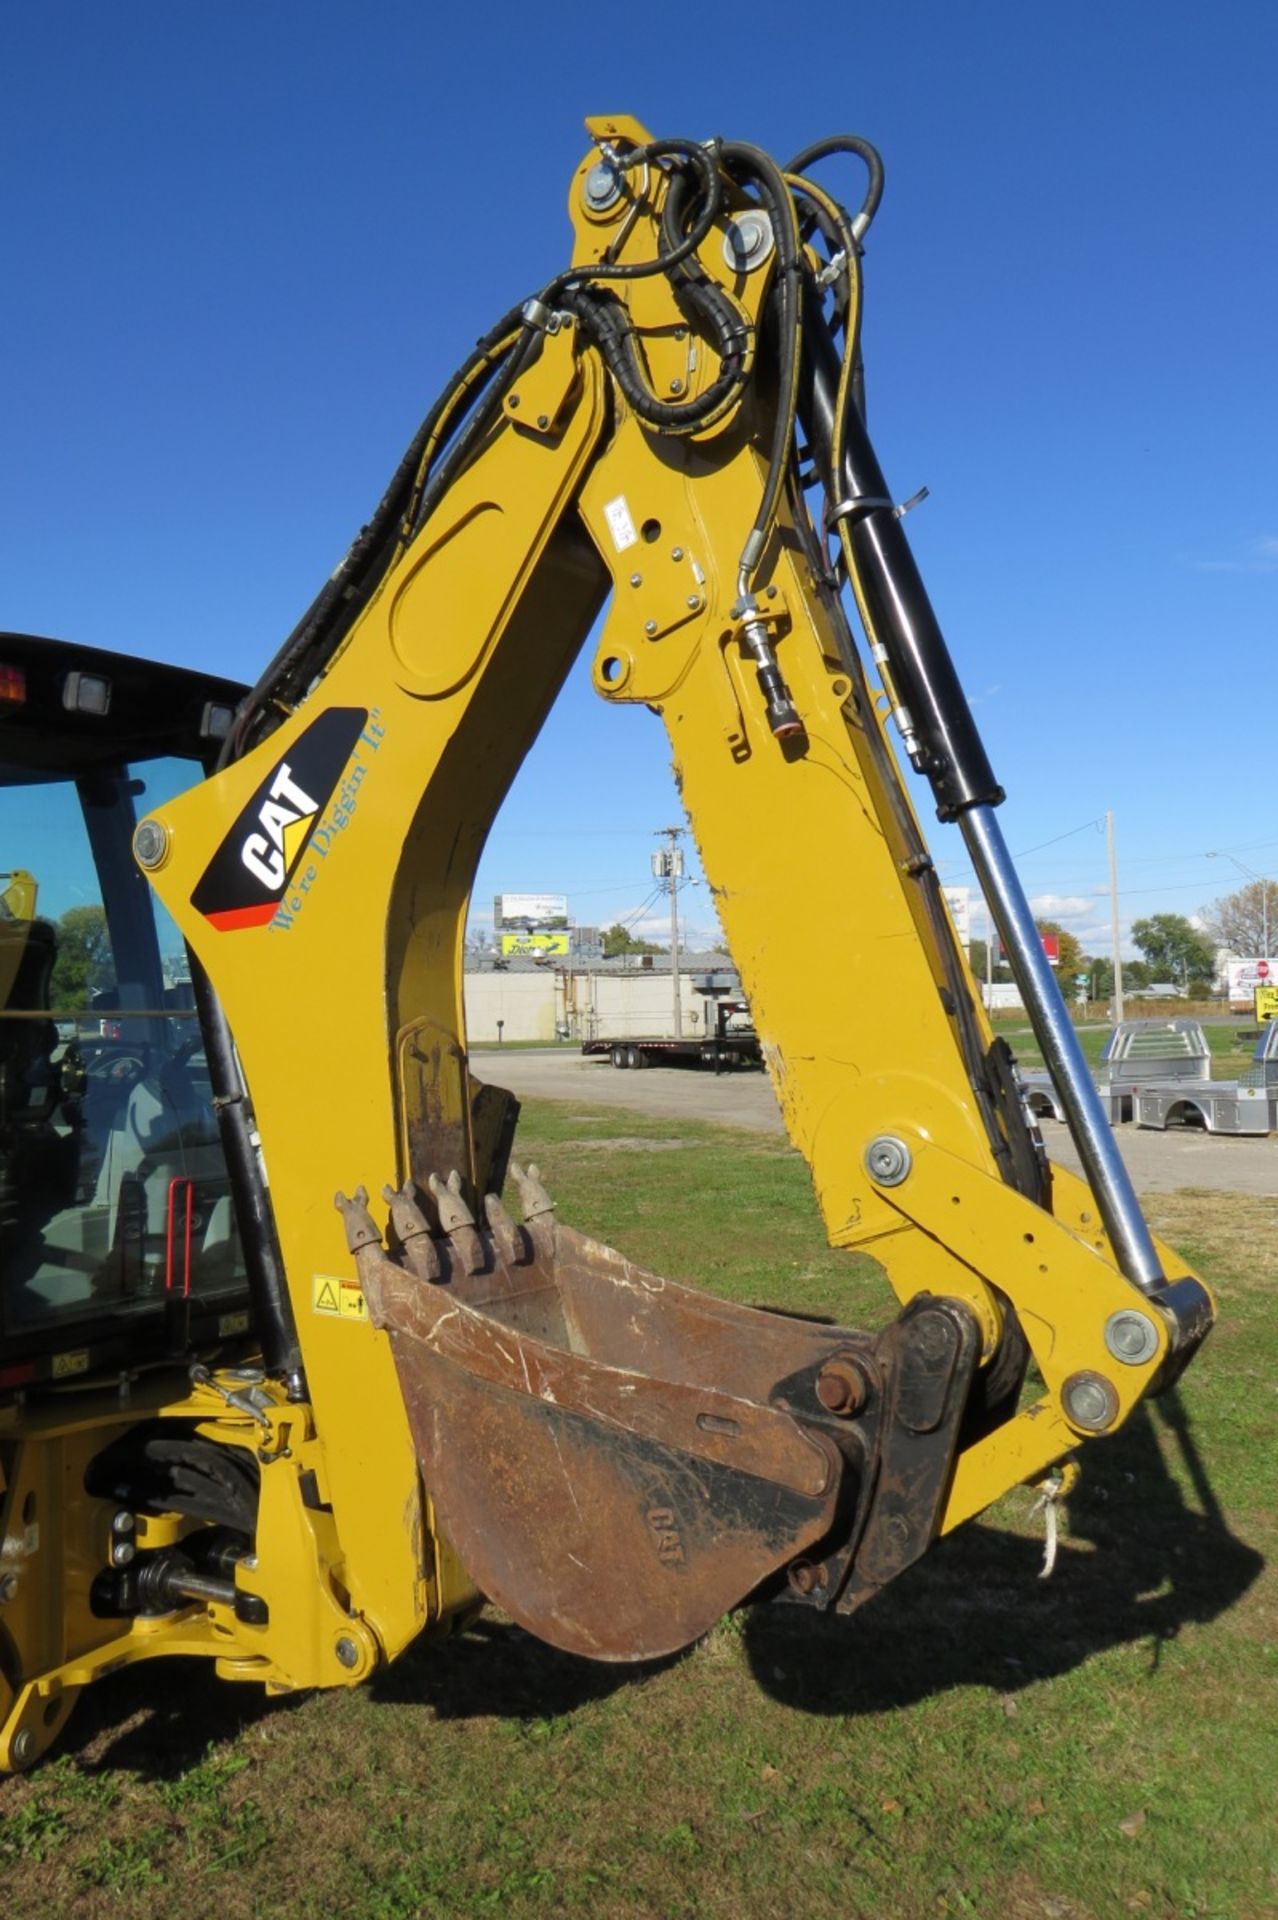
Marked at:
<point>1160,1163</point>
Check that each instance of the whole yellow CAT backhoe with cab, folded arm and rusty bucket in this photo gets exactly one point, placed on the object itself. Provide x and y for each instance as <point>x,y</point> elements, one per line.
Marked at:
<point>248,1424</point>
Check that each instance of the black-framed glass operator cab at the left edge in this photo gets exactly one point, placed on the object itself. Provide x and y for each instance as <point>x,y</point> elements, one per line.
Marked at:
<point>118,1239</point>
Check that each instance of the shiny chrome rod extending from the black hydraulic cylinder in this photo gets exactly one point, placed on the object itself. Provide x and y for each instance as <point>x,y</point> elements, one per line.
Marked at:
<point>1054,1032</point>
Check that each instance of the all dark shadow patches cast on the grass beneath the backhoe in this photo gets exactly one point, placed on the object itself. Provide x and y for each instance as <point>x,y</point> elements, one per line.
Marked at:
<point>1139,1566</point>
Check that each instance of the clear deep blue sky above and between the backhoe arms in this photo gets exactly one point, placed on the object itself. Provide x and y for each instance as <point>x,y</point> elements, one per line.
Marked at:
<point>247,247</point>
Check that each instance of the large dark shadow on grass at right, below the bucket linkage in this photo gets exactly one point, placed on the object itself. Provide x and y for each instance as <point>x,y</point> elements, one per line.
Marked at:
<point>1139,1566</point>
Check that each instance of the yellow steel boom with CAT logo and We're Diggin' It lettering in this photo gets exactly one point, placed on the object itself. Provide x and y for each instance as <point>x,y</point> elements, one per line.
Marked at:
<point>450,675</point>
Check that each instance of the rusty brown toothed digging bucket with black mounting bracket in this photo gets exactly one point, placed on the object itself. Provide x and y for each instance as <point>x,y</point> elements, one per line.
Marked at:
<point>619,1460</point>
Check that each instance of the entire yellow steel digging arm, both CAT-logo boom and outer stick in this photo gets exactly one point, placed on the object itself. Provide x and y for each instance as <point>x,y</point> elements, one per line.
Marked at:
<point>344,992</point>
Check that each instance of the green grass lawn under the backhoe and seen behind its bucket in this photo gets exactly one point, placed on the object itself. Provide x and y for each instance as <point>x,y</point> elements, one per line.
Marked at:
<point>976,1744</point>
